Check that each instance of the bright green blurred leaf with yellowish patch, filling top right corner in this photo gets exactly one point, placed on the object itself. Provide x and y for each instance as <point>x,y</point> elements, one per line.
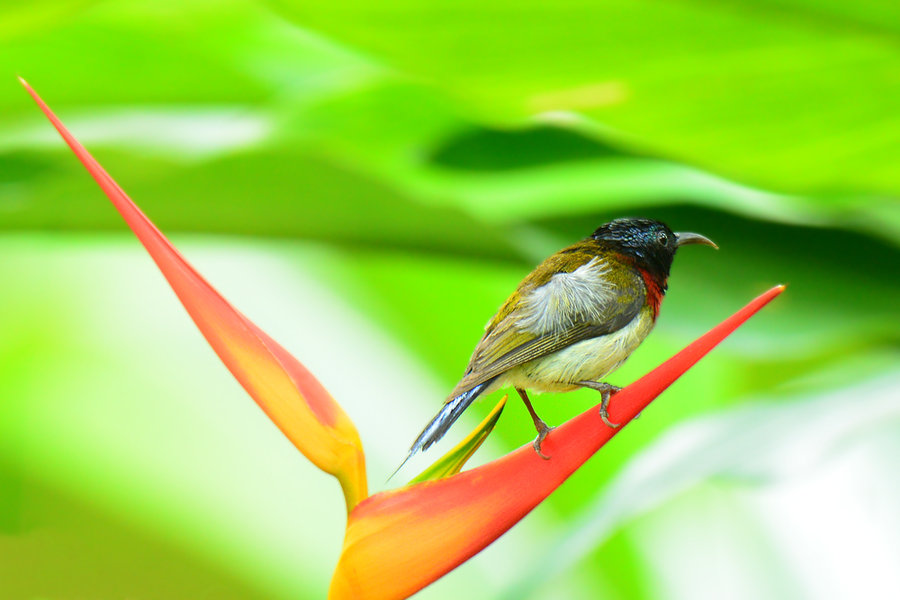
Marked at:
<point>804,104</point>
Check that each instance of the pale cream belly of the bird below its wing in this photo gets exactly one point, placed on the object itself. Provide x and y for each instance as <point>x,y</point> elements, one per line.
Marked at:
<point>588,360</point>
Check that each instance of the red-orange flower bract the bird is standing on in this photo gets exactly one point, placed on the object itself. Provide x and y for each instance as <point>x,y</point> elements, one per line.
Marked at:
<point>398,542</point>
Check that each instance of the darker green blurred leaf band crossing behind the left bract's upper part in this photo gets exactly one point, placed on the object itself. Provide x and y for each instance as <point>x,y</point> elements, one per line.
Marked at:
<point>274,193</point>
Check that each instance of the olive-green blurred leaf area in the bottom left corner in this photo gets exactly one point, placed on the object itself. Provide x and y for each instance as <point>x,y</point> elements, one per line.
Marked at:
<point>93,554</point>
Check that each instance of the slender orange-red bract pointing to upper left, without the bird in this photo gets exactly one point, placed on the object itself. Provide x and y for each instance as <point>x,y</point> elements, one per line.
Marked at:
<point>288,393</point>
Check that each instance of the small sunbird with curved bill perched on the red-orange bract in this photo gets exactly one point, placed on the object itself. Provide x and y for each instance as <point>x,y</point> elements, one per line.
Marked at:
<point>572,321</point>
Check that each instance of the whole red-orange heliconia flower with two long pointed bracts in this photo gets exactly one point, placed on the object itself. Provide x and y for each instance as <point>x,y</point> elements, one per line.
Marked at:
<point>401,540</point>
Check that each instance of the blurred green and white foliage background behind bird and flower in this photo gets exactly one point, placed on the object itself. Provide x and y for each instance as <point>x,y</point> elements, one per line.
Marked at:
<point>367,182</point>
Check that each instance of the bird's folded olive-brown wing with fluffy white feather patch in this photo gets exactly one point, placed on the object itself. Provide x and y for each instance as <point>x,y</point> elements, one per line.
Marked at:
<point>593,300</point>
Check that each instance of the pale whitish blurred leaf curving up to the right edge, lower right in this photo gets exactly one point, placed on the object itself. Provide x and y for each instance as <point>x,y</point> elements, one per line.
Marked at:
<point>753,444</point>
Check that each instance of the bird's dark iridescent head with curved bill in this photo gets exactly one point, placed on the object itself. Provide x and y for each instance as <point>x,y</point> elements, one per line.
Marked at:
<point>650,243</point>
